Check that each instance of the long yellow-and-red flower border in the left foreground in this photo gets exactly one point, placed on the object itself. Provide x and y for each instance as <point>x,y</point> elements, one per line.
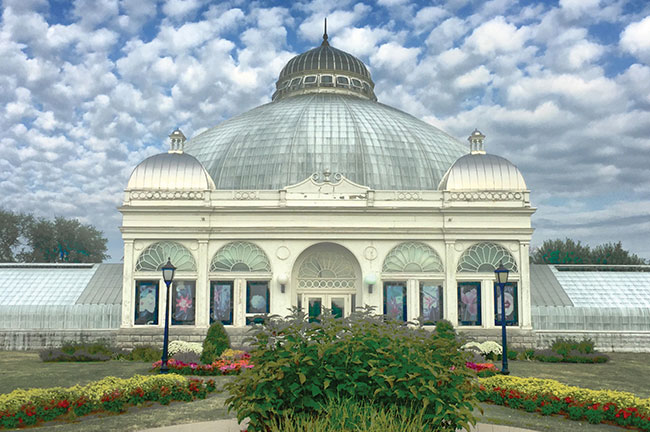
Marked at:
<point>29,407</point>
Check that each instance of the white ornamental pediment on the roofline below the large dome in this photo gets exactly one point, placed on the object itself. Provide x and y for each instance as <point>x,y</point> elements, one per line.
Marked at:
<point>326,186</point>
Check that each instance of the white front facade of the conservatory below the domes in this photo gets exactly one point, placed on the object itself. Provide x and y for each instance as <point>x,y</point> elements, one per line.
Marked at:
<point>344,230</point>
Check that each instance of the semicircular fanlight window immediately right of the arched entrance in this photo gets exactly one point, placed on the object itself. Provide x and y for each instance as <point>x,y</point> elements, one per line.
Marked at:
<point>412,257</point>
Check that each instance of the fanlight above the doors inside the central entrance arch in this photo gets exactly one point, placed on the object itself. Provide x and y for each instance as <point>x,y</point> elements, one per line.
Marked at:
<point>326,270</point>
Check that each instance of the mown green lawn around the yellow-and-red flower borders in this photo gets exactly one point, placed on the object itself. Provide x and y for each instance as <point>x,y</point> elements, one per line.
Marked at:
<point>626,372</point>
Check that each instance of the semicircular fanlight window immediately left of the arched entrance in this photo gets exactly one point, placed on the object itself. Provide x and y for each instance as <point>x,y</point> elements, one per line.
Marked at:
<point>240,257</point>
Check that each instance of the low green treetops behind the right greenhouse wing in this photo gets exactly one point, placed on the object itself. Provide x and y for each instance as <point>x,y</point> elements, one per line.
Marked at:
<point>568,251</point>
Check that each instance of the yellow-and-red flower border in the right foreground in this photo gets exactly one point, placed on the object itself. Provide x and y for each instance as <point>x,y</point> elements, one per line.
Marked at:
<point>551,397</point>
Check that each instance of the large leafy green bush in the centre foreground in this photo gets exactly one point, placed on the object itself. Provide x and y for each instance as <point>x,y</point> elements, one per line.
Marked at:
<point>300,367</point>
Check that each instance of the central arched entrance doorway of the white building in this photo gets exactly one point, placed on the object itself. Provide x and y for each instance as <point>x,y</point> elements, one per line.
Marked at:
<point>326,276</point>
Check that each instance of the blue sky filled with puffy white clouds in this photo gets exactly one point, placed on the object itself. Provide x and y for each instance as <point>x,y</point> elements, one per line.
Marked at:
<point>89,88</point>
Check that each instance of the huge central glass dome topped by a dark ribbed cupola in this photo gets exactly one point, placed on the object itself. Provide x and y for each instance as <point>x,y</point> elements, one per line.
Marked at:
<point>324,115</point>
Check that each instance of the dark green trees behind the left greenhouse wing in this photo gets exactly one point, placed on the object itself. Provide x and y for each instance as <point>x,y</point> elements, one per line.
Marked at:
<point>26,238</point>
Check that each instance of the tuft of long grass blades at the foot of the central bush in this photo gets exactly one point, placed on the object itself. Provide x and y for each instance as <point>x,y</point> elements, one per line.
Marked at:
<point>351,415</point>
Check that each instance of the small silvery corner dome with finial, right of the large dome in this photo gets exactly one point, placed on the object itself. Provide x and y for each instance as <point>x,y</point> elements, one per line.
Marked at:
<point>481,171</point>
